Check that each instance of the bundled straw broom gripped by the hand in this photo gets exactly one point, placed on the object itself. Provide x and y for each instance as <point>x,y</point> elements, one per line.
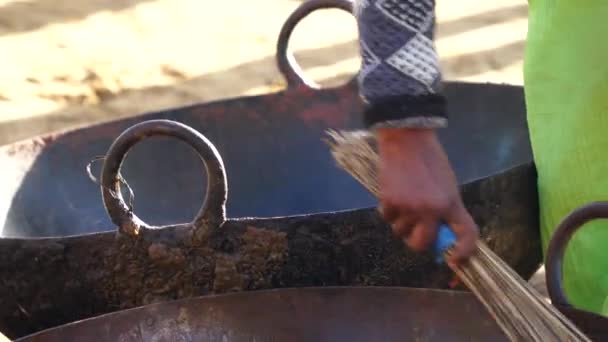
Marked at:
<point>517,308</point>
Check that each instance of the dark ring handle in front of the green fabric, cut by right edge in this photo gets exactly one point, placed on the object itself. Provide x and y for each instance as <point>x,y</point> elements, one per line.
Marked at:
<point>557,247</point>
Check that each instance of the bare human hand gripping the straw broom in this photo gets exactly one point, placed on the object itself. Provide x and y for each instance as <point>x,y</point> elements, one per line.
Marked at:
<point>418,190</point>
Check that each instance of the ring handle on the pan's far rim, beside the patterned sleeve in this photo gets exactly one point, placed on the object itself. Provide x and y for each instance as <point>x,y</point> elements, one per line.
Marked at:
<point>286,62</point>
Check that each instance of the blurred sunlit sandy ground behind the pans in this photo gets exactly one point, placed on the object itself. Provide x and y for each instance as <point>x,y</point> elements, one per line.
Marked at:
<point>70,63</point>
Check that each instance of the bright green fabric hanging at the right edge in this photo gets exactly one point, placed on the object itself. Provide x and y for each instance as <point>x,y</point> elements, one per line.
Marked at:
<point>566,86</point>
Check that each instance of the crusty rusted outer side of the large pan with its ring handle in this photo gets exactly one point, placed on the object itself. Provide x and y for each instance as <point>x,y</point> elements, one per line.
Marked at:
<point>48,282</point>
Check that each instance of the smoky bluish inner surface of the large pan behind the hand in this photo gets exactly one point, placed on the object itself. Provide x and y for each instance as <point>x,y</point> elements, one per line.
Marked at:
<point>271,145</point>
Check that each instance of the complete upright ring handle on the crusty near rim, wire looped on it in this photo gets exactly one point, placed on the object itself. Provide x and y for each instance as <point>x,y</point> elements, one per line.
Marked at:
<point>211,214</point>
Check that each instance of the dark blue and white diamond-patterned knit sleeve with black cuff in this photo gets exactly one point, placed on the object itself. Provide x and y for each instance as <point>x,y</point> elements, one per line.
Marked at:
<point>400,77</point>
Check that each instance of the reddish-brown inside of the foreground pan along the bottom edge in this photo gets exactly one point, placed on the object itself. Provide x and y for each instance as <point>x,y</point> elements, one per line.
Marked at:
<point>315,314</point>
